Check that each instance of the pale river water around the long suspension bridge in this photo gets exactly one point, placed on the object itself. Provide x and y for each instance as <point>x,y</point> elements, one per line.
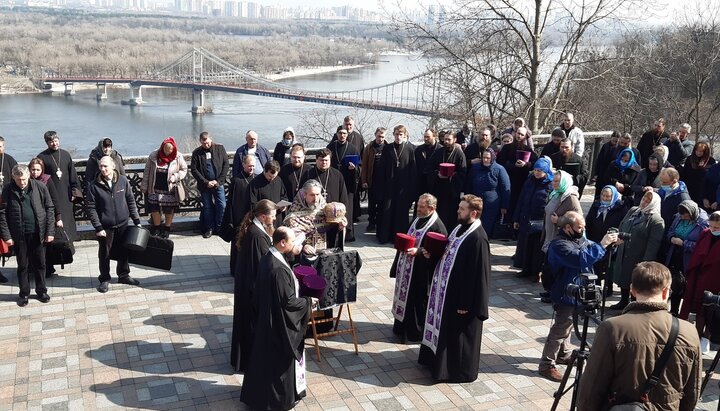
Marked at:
<point>81,121</point>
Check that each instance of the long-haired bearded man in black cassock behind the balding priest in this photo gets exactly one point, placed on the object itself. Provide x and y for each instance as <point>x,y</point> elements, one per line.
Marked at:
<point>254,240</point>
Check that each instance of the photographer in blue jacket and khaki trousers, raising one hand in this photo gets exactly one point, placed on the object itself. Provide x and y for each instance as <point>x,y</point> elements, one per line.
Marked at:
<point>569,254</point>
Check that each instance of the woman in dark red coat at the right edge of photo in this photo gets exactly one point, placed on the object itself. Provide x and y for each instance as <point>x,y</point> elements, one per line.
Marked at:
<point>702,273</point>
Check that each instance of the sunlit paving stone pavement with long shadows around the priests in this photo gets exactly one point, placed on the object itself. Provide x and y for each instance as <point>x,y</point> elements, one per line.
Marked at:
<point>165,344</point>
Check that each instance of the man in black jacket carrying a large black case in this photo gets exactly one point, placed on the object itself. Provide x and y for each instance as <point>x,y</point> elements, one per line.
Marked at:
<point>110,203</point>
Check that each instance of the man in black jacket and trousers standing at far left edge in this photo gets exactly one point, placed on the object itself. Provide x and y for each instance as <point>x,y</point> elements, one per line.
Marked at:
<point>27,222</point>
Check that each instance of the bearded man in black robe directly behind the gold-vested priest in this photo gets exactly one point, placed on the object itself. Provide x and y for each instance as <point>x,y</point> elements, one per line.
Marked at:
<point>332,182</point>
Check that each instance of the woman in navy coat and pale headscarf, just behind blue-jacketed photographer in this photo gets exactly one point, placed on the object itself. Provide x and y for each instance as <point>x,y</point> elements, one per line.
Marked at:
<point>605,213</point>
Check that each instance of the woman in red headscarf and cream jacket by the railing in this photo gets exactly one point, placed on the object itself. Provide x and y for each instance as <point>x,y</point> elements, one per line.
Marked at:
<point>162,183</point>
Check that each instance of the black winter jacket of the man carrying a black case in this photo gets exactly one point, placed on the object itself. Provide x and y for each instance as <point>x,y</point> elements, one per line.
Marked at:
<point>111,207</point>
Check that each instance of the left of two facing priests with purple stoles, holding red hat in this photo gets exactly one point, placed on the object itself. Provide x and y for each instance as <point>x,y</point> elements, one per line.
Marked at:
<point>413,271</point>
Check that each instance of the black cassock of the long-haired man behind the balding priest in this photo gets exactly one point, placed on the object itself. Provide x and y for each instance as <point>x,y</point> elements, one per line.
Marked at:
<point>255,245</point>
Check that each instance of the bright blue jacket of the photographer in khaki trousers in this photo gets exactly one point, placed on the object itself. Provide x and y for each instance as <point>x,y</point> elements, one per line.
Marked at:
<point>567,258</point>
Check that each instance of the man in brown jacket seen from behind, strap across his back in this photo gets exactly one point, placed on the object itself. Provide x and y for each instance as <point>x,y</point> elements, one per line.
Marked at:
<point>627,347</point>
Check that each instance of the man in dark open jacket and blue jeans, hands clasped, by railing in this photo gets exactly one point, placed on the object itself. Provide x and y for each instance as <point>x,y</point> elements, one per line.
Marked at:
<point>209,165</point>
